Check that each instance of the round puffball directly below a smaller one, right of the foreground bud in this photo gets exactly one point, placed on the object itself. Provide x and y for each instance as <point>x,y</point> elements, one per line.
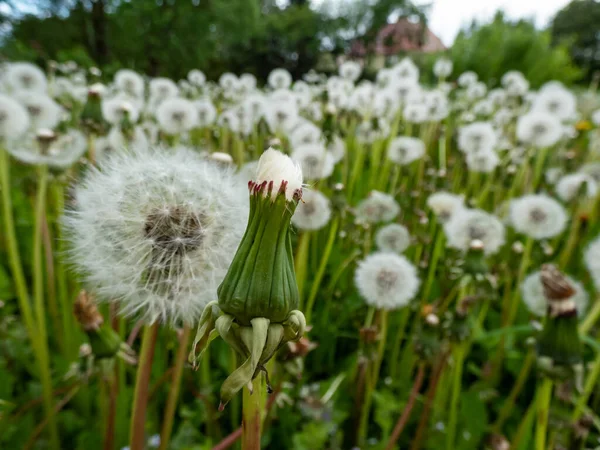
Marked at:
<point>386,280</point>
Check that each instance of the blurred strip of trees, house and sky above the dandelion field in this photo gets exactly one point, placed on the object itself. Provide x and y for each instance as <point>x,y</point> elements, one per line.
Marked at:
<point>549,39</point>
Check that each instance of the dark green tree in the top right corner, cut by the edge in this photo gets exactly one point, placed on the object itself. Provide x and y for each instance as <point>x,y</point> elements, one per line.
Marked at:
<point>578,25</point>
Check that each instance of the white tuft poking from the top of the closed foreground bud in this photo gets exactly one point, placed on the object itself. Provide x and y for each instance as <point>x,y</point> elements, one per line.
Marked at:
<point>274,166</point>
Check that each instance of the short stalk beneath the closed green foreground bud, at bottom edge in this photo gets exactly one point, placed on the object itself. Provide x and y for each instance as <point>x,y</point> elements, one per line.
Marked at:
<point>253,406</point>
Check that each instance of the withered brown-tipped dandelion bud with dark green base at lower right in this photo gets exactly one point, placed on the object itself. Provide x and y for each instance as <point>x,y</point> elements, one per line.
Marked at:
<point>559,340</point>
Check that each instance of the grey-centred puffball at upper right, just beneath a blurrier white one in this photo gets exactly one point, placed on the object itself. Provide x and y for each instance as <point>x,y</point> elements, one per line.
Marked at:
<point>539,129</point>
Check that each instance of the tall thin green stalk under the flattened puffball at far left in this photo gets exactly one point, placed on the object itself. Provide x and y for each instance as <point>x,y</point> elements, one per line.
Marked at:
<point>39,306</point>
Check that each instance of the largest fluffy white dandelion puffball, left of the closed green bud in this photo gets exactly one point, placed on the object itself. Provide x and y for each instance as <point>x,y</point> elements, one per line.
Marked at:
<point>156,231</point>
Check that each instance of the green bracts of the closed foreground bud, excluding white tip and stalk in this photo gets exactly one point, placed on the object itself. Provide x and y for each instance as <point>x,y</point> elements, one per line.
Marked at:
<point>256,311</point>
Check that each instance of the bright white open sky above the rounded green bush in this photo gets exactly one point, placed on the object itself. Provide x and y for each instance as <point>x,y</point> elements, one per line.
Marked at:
<point>447,17</point>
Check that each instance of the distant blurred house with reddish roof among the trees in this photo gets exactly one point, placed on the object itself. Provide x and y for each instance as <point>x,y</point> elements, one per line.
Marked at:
<point>394,38</point>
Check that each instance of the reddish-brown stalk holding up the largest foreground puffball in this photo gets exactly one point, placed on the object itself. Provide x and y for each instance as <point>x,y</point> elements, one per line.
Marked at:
<point>137,436</point>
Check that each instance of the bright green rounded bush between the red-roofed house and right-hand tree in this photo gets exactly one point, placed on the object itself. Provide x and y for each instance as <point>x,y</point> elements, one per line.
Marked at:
<point>516,46</point>
